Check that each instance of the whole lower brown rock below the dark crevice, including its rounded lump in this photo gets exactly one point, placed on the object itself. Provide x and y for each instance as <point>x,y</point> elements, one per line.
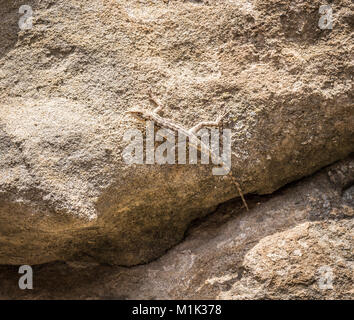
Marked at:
<point>295,244</point>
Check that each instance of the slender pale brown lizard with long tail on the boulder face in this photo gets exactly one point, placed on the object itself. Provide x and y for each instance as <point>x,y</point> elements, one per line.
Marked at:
<point>144,115</point>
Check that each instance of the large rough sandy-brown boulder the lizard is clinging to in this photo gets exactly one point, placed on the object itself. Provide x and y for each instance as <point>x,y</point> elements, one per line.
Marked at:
<point>65,191</point>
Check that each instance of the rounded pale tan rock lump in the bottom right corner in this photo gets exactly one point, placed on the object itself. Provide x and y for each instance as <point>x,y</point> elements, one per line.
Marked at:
<point>287,264</point>
